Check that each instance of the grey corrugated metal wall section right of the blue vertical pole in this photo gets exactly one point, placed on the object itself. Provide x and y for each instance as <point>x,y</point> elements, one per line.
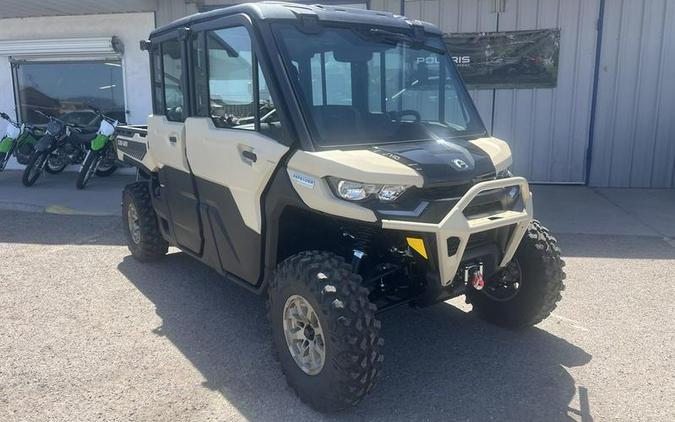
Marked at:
<point>634,140</point>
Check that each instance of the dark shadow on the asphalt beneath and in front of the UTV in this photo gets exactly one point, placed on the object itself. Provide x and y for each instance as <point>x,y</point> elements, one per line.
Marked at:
<point>441,363</point>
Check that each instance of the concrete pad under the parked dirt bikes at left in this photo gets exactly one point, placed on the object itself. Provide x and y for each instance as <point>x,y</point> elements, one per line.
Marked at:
<point>56,194</point>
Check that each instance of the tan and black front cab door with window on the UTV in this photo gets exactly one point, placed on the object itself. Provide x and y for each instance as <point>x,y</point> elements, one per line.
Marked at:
<point>232,144</point>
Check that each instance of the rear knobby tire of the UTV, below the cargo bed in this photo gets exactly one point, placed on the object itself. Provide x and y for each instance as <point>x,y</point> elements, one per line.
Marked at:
<point>141,223</point>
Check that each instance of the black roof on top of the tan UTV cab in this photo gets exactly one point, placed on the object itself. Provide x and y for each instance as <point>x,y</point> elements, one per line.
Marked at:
<point>274,10</point>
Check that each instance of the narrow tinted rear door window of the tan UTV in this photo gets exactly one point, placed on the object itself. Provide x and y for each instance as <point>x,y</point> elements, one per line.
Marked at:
<point>172,67</point>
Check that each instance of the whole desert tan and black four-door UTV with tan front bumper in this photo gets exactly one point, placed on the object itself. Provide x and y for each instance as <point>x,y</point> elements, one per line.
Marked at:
<point>333,160</point>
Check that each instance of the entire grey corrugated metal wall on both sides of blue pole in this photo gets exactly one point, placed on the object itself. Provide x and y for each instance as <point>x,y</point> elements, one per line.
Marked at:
<point>548,129</point>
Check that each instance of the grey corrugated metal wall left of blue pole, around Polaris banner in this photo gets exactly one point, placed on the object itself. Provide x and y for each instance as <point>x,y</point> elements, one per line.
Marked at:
<point>547,129</point>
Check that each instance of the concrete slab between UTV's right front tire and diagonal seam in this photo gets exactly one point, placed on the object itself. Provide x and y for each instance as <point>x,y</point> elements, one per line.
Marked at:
<point>581,210</point>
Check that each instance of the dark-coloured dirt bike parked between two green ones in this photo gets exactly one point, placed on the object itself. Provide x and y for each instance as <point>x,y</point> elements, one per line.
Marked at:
<point>62,144</point>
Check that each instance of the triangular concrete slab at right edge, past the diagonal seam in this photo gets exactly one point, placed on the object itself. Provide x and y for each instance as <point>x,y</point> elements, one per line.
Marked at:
<point>654,208</point>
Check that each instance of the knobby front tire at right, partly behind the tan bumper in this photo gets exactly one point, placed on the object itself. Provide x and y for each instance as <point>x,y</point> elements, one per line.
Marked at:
<point>535,279</point>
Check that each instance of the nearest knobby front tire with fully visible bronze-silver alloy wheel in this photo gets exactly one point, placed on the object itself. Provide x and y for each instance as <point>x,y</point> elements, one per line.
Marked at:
<point>338,307</point>
